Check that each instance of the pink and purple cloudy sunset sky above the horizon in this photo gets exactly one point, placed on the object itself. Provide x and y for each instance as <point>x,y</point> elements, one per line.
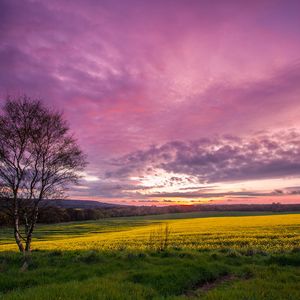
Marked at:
<point>174,101</point>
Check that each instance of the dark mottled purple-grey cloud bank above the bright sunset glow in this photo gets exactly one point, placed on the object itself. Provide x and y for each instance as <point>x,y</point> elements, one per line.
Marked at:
<point>222,159</point>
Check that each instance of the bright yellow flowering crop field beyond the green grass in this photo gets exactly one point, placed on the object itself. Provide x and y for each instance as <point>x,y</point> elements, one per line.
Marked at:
<point>272,233</point>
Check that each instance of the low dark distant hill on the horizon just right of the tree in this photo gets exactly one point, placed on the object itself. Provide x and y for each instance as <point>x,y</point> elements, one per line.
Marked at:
<point>83,204</point>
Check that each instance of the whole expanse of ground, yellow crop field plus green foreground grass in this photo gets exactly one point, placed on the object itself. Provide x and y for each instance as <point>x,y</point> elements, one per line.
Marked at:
<point>207,256</point>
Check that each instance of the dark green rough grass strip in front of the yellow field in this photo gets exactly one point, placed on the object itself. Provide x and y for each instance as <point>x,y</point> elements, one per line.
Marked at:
<point>151,275</point>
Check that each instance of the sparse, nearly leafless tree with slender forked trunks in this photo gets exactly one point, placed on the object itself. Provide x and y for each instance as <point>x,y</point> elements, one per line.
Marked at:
<point>38,159</point>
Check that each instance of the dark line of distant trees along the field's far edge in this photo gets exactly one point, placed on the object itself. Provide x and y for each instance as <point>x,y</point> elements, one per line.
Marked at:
<point>53,214</point>
